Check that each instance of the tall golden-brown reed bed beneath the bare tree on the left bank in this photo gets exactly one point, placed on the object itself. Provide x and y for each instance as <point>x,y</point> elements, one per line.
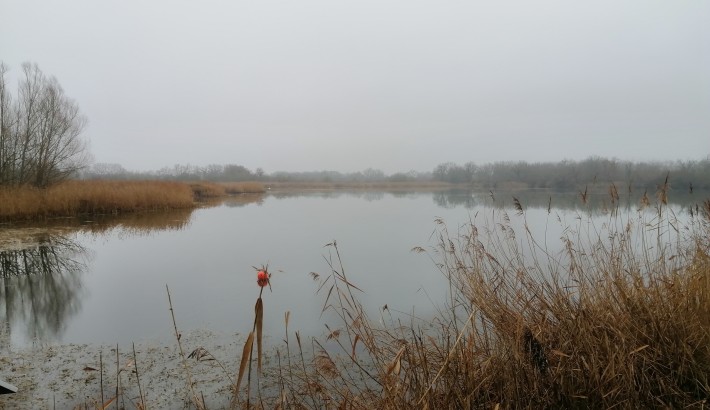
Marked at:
<point>92,197</point>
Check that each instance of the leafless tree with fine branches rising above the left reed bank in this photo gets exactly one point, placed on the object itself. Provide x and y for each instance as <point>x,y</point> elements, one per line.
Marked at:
<point>40,136</point>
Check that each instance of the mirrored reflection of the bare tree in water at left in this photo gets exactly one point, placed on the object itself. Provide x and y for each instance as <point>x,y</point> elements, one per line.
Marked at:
<point>41,285</point>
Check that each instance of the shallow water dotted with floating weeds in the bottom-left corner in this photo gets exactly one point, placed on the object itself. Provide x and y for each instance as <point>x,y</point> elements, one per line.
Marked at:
<point>69,375</point>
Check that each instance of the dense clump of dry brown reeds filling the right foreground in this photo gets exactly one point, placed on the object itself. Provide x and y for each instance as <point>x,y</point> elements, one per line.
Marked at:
<point>620,319</point>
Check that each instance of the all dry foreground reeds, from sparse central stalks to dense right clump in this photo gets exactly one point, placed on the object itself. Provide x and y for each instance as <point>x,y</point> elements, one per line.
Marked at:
<point>620,318</point>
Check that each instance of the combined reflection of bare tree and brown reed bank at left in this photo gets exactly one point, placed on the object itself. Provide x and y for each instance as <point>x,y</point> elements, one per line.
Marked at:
<point>41,267</point>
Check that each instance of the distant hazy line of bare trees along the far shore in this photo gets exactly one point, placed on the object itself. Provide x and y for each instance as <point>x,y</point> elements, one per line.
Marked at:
<point>563,175</point>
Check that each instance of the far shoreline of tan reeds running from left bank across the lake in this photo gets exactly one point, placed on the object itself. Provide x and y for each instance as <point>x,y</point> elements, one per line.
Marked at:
<point>98,198</point>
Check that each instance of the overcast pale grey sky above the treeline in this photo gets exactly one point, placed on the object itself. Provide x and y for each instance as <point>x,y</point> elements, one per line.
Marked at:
<point>397,85</point>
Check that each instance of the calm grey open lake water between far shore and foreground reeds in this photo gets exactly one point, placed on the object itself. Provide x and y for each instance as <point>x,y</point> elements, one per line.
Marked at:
<point>104,280</point>
